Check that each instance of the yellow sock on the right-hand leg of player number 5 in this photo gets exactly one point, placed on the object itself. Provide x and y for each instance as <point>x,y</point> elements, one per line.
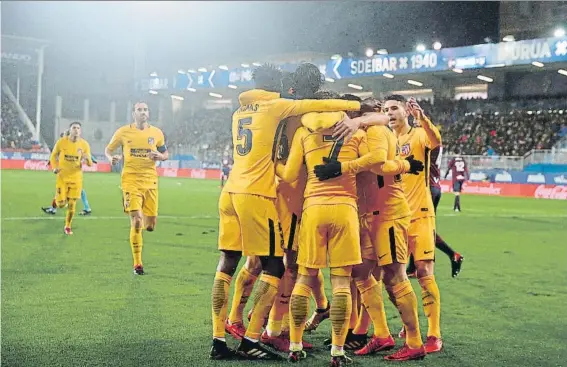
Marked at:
<point>263,301</point>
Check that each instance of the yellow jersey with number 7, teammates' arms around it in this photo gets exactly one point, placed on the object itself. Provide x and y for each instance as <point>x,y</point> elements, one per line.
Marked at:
<point>311,147</point>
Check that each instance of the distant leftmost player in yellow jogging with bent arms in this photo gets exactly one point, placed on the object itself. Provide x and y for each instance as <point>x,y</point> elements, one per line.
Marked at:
<point>66,161</point>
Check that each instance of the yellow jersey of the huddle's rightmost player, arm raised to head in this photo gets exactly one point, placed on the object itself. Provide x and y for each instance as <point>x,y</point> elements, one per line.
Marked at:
<point>416,187</point>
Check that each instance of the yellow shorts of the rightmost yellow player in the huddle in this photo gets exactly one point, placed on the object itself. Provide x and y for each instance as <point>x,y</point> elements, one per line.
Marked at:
<point>422,238</point>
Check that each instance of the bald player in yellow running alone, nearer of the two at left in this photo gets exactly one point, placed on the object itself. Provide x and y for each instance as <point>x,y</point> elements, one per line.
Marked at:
<point>142,145</point>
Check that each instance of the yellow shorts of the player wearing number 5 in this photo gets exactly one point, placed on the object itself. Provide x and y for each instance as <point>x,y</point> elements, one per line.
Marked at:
<point>249,223</point>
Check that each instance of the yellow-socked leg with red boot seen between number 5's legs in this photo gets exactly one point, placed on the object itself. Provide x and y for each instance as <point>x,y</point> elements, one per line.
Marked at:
<point>244,284</point>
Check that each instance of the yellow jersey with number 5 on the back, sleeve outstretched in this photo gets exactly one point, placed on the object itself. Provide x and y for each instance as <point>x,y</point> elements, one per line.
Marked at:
<point>257,127</point>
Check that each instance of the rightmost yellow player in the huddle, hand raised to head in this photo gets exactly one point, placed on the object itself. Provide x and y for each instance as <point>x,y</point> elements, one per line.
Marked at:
<point>418,142</point>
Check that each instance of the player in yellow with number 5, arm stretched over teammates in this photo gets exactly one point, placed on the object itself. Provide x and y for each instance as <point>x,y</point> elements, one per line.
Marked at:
<point>249,223</point>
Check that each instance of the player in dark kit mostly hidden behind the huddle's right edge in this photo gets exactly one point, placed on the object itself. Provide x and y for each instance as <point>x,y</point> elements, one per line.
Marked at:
<point>435,187</point>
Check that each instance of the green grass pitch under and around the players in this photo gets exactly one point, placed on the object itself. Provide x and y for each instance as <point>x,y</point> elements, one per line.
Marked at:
<point>73,301</point>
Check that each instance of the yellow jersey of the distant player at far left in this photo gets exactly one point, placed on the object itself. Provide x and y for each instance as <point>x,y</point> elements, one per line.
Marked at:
<point>67,155</point>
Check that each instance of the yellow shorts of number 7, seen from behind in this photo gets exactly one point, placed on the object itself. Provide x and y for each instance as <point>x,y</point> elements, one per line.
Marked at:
<point>329,237</point>
